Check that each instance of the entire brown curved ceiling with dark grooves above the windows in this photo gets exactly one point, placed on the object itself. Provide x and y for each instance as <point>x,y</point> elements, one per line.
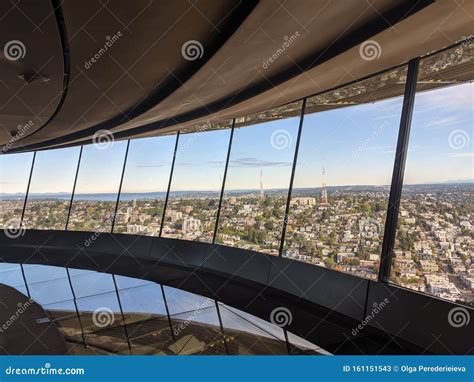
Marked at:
<point>141,84</point>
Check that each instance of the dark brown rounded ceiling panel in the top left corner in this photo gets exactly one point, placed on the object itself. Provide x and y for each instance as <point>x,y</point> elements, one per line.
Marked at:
<point>31,67</point>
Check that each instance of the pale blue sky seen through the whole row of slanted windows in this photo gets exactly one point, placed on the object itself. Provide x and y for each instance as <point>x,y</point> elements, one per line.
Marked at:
<point>356,144</point>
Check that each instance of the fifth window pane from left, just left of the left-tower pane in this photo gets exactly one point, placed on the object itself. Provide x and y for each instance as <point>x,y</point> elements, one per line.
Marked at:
<point>196,185</point>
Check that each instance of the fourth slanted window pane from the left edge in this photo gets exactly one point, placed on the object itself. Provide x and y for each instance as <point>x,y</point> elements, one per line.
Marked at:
<point>144,186</point>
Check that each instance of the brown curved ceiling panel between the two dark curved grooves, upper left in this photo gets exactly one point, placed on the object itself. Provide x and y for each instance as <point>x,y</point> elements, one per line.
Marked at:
<point>126,56</point>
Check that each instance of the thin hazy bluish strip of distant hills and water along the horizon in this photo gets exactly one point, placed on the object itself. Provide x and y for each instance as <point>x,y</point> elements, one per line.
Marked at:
<point>296,191</point>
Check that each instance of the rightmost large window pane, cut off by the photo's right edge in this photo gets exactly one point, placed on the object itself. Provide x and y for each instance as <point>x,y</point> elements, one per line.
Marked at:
<point>434,245</point>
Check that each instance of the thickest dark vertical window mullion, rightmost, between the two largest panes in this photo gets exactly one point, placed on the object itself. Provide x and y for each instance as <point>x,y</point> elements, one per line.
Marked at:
<point>398,171</point>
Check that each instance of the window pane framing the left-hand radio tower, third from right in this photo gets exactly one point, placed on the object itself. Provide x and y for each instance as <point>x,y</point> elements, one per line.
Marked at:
<point>257,183</point>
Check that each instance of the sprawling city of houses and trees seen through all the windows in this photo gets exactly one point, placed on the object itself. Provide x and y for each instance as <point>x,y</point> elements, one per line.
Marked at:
<point>334,227</point>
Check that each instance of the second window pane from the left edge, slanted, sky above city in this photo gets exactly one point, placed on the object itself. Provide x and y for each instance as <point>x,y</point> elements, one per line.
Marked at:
<point>51,189</point>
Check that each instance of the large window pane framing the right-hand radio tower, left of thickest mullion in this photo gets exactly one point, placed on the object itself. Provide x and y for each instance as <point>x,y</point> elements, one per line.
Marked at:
<point>343,174</point>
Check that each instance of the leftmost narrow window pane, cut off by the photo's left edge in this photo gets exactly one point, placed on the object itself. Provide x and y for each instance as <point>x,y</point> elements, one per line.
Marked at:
<point>14,174</point>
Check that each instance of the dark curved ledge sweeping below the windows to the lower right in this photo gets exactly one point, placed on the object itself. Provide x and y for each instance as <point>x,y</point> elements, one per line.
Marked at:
<point>327,307</point>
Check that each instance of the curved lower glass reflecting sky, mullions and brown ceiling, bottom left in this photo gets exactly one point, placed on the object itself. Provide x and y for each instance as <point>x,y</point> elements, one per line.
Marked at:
<point>97,318</point>
